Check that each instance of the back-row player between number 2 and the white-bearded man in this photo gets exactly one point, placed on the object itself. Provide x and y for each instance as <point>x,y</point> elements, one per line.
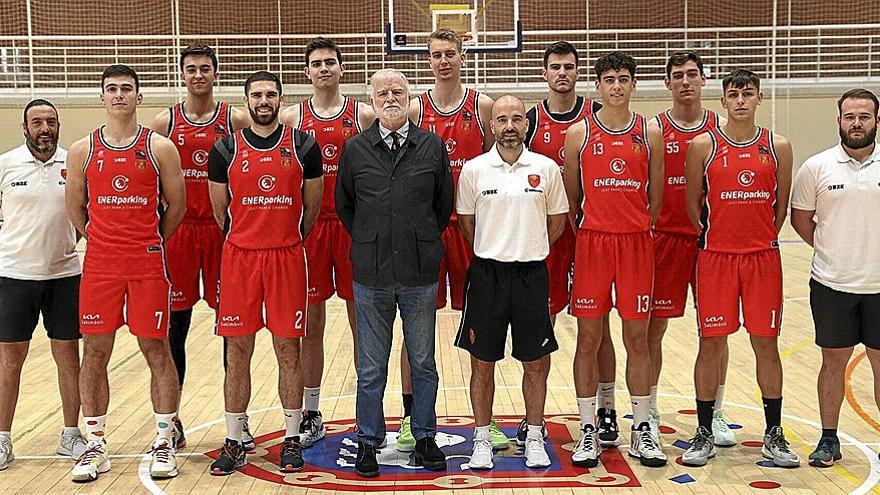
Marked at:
<point>330,118</point>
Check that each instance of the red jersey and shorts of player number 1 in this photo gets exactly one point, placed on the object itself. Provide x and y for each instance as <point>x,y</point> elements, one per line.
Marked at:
<point>739,258</point>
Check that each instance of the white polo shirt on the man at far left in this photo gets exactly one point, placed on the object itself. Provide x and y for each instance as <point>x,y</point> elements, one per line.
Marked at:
<point>37,240</point>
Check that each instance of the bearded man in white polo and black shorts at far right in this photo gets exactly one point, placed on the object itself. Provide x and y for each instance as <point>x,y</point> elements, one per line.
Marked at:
<point>834,206</point>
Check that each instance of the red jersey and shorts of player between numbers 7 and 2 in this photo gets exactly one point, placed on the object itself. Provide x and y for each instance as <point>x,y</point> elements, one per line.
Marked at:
<point>195,246</point>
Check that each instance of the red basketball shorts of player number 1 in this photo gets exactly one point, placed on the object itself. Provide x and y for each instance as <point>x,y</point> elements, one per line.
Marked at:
<point>726,280</point>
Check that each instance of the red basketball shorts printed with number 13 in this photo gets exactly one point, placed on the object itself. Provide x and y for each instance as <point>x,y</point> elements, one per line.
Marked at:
<point>603,260</point>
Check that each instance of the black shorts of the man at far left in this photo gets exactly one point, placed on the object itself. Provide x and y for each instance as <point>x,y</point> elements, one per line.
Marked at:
<point>22,301</point>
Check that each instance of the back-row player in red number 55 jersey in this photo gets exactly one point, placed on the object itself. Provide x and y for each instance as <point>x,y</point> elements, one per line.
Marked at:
<point>675,238</point>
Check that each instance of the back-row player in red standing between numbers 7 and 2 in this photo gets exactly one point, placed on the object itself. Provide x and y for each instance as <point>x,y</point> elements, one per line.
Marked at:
<point>193,125</point>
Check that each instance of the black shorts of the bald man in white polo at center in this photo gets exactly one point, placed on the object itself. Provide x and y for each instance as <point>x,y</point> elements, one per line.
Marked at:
<point>499,294</point>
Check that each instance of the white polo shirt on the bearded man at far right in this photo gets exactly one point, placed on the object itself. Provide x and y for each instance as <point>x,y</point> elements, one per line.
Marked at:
<point>845,195</point>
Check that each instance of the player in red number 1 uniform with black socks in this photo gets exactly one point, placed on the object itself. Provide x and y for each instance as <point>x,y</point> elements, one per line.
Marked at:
<point>738,181</point>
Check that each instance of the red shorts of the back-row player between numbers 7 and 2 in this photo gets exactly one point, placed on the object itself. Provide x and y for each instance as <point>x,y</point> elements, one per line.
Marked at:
<point>193,250</point>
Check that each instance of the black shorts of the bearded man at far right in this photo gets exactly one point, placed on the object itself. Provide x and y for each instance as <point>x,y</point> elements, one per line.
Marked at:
<point>844,319</point>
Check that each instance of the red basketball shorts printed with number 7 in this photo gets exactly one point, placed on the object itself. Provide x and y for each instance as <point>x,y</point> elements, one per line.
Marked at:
<point>146,303</point>
